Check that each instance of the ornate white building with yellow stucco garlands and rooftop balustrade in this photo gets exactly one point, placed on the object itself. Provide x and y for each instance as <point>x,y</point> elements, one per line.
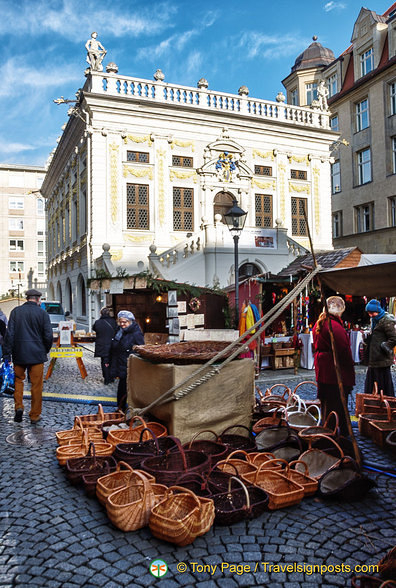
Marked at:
<point>149,168</point>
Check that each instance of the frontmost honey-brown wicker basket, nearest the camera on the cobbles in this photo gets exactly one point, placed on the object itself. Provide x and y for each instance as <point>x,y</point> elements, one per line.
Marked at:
<point>181,517</point>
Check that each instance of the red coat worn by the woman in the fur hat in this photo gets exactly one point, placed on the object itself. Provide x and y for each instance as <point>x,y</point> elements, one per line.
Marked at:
<point>324,364</point>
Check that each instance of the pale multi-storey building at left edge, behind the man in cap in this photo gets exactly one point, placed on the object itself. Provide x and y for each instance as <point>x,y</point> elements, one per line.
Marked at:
<point>23,231</point>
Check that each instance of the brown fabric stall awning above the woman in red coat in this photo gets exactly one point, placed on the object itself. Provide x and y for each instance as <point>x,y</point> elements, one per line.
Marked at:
<point>373,281</point>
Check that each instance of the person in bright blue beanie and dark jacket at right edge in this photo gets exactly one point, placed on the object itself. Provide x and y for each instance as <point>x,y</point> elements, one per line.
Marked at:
<point>381,349</point>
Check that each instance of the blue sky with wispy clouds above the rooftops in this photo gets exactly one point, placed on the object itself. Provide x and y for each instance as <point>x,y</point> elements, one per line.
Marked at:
<point>233,43</point>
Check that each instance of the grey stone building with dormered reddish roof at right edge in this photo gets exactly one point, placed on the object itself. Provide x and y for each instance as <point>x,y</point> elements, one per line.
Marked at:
<point>361,86</point>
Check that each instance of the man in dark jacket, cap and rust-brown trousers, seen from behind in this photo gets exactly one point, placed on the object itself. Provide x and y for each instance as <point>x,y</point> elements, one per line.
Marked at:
<point>28,340</point>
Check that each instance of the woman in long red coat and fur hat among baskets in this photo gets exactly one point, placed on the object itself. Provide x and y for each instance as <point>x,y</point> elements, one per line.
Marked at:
<point>326,377</point>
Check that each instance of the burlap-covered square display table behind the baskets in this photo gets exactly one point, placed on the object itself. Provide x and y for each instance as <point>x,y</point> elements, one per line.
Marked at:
<point>225,399</point>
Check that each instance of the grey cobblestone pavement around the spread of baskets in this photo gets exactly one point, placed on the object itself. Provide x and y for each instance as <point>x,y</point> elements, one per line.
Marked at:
<point>53,535</point>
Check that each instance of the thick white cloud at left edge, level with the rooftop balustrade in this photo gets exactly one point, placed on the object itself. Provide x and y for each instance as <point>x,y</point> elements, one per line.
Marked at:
<point>15,75</point>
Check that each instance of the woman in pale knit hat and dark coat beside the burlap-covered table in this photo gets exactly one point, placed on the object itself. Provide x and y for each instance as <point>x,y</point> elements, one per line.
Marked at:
<point>127,335</point>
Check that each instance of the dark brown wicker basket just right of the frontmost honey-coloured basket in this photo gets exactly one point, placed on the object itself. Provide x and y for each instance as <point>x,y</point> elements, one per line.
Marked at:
<point>244,502</point>
